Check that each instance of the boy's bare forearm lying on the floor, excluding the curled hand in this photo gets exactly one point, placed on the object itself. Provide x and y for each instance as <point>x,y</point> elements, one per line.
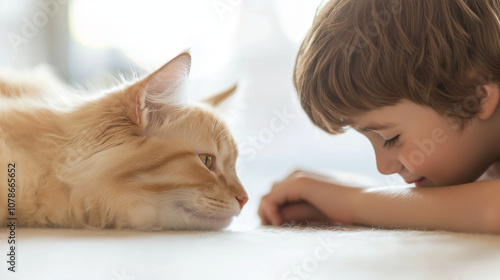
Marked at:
<point>473,207</point>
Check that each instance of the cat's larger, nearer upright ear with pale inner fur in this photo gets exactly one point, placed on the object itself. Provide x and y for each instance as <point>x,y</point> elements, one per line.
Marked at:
<point>163,87</point>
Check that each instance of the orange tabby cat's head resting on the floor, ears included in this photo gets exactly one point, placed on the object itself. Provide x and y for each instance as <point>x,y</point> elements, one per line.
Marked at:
<point>142,157</point>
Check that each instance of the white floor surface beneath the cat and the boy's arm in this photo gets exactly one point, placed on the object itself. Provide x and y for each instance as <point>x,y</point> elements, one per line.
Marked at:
<point>263,253</point>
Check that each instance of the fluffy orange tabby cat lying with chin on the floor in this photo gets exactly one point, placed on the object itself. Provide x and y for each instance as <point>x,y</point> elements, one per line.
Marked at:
<point>124,159</point>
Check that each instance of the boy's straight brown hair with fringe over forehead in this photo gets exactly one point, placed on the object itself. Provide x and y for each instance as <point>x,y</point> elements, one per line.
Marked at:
<point>361,55</point>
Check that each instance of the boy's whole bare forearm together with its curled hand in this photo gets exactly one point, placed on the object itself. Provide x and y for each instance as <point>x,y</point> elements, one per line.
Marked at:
<point>471,207</point>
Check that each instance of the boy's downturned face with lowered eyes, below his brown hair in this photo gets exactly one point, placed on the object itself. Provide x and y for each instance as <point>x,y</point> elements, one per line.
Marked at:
<point>425,147</point>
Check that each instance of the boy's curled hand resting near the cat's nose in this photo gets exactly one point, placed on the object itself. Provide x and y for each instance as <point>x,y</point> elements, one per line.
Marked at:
<point>293,199</point>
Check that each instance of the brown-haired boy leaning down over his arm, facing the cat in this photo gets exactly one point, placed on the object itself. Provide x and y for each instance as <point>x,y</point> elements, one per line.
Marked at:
<point>420,79</point>
